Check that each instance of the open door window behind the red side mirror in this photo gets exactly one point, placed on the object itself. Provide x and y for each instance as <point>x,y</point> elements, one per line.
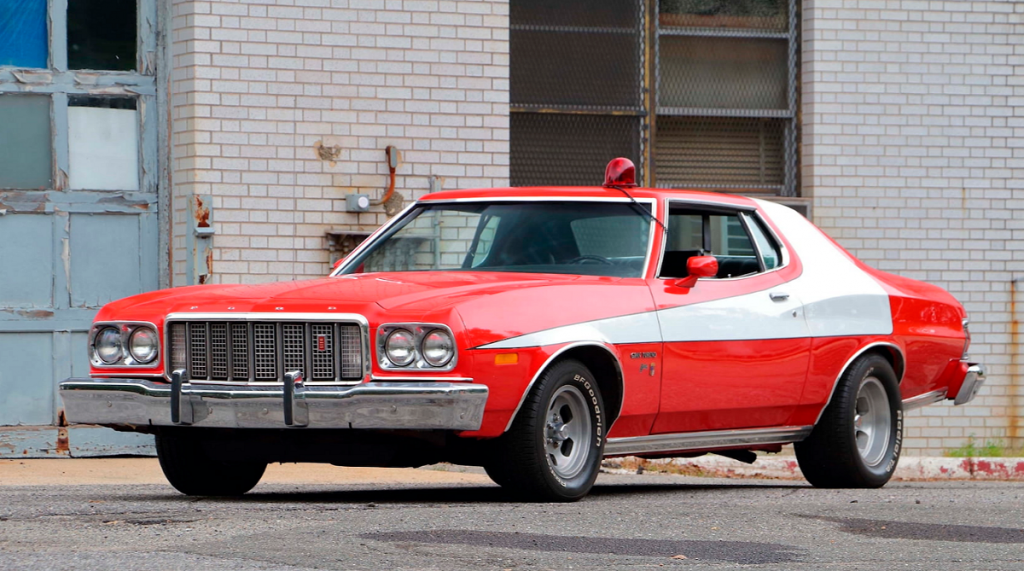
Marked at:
<point>693,233</point>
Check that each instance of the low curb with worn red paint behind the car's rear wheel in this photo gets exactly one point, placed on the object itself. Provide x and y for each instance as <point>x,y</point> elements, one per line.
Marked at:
<point>786,468</point>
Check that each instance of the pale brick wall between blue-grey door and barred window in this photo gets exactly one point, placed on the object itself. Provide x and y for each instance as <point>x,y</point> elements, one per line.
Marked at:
<point>282,108</point>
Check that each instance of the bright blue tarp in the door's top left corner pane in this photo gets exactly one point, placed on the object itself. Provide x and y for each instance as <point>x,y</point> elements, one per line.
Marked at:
<point>23,33</point>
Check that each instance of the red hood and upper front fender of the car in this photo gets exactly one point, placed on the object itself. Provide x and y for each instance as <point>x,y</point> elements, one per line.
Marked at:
<point>492,305</point>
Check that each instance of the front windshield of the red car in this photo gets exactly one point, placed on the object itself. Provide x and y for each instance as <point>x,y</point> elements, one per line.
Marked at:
<point>574,238</point>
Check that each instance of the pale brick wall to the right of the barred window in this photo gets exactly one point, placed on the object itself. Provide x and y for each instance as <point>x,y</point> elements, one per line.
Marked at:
<point>914,155</point>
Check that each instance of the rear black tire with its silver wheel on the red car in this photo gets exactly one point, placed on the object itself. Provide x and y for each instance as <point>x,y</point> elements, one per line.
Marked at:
<point>830,458</point>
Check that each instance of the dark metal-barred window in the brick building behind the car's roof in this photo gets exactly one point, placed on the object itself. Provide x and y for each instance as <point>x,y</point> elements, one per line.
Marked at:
<point>714,108</point>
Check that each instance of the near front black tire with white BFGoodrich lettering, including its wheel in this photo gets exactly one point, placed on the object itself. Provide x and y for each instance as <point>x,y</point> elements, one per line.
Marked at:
<point>523,462</point>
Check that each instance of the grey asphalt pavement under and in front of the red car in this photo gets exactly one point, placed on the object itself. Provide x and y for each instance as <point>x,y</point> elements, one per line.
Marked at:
<point>332,518</point>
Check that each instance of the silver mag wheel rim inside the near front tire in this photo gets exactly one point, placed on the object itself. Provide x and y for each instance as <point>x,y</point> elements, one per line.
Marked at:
<point>568,432</point>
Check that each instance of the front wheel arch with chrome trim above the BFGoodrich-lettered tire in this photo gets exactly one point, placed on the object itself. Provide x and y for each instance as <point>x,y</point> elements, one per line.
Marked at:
<point>602,362</point>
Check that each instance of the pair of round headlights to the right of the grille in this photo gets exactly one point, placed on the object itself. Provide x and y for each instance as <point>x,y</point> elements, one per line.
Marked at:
<point>416,346</point>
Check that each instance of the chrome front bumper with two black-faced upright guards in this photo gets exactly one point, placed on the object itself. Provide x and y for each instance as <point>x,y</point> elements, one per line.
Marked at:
<point>139,403</point>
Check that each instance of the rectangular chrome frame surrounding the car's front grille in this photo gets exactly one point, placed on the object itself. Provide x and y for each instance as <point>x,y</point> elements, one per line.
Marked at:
<point>273,318</point>
